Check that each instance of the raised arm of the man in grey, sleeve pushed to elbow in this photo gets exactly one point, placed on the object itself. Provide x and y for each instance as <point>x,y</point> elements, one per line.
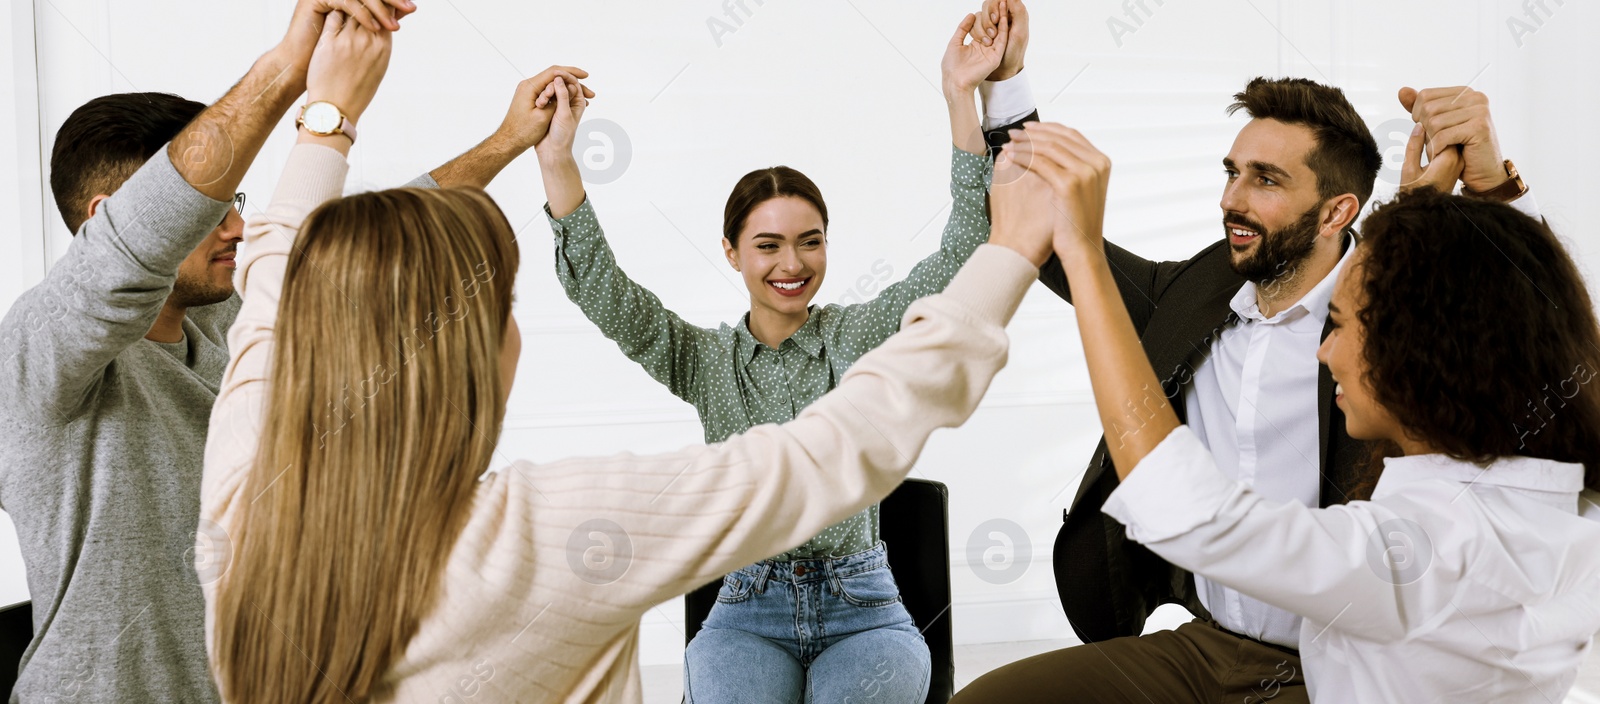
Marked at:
<point>108,290</point>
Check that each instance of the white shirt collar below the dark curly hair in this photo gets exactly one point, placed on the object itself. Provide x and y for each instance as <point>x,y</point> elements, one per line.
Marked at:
<point>1529,474</point>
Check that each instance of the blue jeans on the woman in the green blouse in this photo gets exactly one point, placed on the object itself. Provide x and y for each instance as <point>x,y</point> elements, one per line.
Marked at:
<point>809,631</point>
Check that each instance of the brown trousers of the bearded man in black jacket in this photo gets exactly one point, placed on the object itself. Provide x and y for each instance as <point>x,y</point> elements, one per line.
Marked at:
<point>1196,663</point>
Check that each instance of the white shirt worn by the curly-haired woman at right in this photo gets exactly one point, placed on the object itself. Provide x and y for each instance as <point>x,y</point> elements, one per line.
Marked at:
<point>1455,585</point>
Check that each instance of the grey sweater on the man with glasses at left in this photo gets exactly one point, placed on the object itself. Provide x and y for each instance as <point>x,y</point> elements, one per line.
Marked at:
<point>102,447</point>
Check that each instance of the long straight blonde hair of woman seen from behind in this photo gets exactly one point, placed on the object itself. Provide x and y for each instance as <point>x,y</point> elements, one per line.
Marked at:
<point>385,409</point>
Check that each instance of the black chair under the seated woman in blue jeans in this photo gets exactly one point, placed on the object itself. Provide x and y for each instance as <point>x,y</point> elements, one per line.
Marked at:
<point>916,529</point>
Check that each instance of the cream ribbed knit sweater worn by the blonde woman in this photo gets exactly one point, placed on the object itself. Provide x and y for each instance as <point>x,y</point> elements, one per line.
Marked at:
<point>545,590</point>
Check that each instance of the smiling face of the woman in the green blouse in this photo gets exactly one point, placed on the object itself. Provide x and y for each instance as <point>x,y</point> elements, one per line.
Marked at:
<point>782,254</point>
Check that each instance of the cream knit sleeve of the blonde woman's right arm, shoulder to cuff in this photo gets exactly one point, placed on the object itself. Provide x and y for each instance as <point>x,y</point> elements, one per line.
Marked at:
<point>694,516</point>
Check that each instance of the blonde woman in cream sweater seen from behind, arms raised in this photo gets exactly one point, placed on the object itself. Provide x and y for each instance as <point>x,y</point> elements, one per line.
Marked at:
<point>354,546</point>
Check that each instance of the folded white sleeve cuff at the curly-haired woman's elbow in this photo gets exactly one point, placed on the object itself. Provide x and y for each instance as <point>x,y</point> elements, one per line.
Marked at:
<point>1174,490</point>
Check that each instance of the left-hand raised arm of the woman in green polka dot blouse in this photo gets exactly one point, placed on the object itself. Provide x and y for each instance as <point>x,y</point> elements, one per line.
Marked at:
<point>633,318</point>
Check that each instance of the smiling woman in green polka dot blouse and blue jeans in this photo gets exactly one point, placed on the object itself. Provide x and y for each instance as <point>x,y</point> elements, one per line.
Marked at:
<point>822,622</point>
